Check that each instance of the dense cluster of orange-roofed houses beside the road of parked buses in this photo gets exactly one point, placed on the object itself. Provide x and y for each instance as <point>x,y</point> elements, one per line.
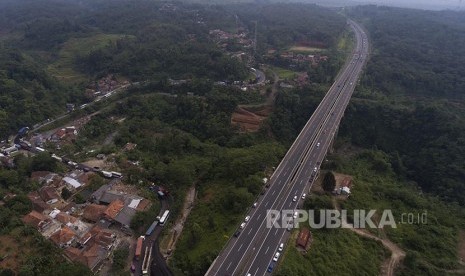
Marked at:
<point>87,232</point>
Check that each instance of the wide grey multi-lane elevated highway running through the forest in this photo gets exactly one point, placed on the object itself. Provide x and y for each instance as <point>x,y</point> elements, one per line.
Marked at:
<point>253,250</point>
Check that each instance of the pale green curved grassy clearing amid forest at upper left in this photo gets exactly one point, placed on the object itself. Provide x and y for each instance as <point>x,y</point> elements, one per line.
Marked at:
<point>63,68</point>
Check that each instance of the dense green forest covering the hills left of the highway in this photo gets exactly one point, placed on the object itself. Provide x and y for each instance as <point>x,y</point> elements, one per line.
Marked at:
<point>47,59</point>
